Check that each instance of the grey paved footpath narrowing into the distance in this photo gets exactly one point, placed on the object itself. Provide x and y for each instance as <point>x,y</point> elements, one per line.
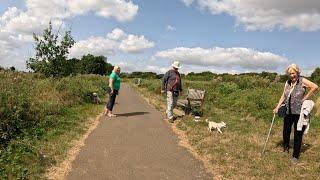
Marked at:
<point>138,144</point>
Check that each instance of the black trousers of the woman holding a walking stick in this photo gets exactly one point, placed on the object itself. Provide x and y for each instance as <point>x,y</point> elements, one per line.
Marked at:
<point>287,125</point>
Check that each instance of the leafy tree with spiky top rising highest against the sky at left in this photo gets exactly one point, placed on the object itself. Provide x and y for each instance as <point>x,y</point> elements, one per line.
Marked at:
<point>51,54</point>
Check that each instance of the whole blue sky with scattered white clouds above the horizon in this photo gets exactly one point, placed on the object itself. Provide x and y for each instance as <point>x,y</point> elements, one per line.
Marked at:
<point>146,35</point>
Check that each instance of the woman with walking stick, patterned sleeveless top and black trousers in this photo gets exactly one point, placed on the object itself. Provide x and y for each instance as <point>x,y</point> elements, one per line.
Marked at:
<point>294,94</point>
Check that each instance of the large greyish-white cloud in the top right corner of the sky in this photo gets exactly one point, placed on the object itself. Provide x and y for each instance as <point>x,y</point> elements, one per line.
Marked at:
<point>268,15</point>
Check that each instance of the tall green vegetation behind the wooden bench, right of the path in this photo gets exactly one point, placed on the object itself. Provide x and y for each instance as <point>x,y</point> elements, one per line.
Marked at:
<point>245,95</point>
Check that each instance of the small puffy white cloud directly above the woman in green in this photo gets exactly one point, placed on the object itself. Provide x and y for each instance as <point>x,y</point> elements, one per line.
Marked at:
<point>135,44</point>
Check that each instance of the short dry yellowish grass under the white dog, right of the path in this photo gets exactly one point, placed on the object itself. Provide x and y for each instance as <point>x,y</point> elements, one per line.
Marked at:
<point>236,154</point>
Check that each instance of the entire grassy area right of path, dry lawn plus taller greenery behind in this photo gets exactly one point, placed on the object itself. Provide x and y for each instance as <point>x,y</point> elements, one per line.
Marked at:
<point>236,154</point>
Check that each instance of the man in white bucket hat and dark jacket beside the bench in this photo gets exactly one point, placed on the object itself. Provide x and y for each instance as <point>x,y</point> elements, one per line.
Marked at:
<point>171,84</point>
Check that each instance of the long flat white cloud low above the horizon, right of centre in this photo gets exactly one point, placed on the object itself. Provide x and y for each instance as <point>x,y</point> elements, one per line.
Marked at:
<point>225,57</point>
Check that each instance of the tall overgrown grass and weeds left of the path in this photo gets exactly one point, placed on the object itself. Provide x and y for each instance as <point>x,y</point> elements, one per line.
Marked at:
<point>34,111</point>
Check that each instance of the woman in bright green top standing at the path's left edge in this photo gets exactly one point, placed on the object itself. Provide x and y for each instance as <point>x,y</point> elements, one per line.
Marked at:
<point>114,85</point>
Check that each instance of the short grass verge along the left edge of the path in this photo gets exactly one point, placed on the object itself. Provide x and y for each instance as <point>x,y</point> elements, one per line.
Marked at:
<point>29,158</point>
